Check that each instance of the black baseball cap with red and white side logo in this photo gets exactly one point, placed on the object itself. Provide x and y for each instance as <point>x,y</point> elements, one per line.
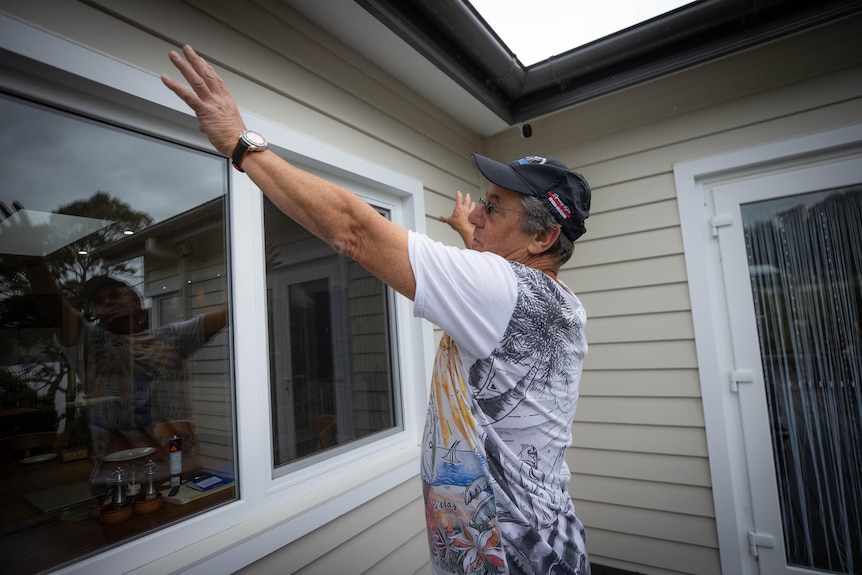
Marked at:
<point>564,192</point>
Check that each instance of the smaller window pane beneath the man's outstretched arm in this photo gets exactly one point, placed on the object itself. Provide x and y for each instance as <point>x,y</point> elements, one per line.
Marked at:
<point>330,332</point>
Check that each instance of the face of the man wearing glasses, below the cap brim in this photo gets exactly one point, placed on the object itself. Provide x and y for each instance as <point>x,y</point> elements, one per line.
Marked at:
<point>498,225</point>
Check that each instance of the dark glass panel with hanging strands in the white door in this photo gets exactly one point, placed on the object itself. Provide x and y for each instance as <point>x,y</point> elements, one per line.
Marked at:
<point>805,261</point>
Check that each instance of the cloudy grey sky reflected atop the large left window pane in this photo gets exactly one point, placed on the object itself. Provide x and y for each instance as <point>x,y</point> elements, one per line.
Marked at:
<point>48,159</point>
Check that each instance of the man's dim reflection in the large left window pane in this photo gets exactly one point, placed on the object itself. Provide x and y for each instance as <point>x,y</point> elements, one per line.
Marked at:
<point>133,378</point>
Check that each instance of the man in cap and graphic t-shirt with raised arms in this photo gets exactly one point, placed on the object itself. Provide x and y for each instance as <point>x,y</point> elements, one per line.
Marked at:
<point>506,375</point>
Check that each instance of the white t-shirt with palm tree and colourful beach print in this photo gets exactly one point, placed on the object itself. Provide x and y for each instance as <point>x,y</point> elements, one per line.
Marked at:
<point>503,397</point>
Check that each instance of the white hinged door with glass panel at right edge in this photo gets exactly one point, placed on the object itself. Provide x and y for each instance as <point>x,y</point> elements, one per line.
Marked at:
<point>790,249</point>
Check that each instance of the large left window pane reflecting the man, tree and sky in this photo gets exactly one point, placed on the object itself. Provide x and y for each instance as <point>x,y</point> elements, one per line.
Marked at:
<point>113,345</point>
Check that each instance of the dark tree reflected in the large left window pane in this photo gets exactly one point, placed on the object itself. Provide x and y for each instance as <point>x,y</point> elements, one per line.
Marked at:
<point>33,369</point>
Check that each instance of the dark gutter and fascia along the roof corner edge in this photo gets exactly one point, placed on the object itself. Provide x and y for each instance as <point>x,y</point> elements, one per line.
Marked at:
<point>452,35</point>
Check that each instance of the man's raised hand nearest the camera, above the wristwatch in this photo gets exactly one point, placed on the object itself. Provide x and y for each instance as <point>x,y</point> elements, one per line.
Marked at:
<point>209,98</point>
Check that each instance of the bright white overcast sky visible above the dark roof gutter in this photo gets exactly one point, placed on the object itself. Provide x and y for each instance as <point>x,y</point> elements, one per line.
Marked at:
<point>538,29</point>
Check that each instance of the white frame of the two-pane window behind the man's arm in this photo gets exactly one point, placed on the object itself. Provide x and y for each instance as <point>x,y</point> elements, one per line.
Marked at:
<point>270,512</point>
